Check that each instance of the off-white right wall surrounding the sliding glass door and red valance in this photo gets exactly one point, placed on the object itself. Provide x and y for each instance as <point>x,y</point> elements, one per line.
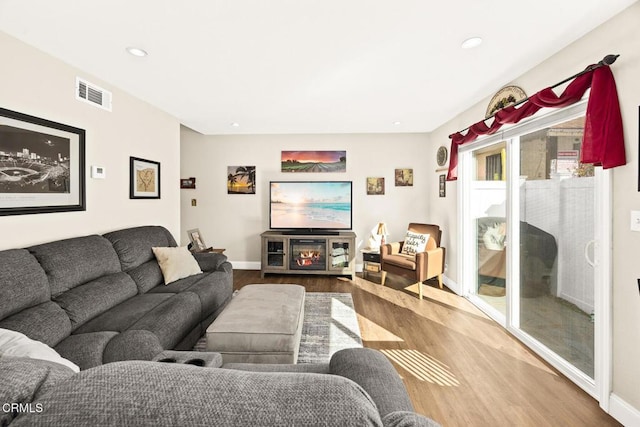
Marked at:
<point>621,36</point>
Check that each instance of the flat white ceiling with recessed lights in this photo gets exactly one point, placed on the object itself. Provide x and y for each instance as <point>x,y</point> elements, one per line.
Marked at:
<point>306,66</point>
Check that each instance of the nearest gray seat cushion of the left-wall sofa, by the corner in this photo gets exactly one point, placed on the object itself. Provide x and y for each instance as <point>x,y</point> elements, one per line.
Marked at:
<point>86,350</point>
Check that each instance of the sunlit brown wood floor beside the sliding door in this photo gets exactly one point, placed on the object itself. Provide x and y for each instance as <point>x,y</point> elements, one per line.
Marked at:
<point>459,367</point>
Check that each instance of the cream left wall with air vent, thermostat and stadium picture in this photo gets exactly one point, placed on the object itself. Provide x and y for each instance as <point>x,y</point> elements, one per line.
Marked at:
<point>35,83</point>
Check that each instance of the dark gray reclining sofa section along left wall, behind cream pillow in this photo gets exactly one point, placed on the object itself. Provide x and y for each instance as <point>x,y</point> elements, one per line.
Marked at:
<point>99,299</point>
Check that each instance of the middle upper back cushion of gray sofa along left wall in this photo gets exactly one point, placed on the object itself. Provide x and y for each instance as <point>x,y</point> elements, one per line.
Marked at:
<point>72,262</point>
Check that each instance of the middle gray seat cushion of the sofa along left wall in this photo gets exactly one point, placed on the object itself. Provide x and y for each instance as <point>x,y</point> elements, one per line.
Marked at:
<point>124,315</point>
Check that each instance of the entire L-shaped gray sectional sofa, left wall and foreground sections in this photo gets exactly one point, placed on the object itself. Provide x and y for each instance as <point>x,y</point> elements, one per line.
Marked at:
<point>101,303</point>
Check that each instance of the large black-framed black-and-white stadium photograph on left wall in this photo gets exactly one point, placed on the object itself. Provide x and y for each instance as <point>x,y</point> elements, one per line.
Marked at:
<point>42,165</point>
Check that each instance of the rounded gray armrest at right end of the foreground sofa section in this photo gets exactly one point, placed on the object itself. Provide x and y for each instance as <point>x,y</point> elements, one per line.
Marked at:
<point>372,371</point>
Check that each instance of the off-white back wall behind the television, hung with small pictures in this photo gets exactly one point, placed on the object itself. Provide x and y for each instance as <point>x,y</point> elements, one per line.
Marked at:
<point>235,221</point>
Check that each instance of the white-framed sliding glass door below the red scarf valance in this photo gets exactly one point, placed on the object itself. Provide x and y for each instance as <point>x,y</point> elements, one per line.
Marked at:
<point>534,229</point>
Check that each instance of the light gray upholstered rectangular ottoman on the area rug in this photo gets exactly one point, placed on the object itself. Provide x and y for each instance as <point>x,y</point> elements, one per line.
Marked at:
<point>261,324</point>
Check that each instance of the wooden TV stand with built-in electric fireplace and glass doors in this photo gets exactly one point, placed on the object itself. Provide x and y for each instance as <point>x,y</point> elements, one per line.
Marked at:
<point>290,253</point>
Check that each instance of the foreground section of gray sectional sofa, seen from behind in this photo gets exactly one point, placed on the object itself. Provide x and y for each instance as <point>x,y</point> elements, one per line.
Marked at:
<point>358,387</point>
